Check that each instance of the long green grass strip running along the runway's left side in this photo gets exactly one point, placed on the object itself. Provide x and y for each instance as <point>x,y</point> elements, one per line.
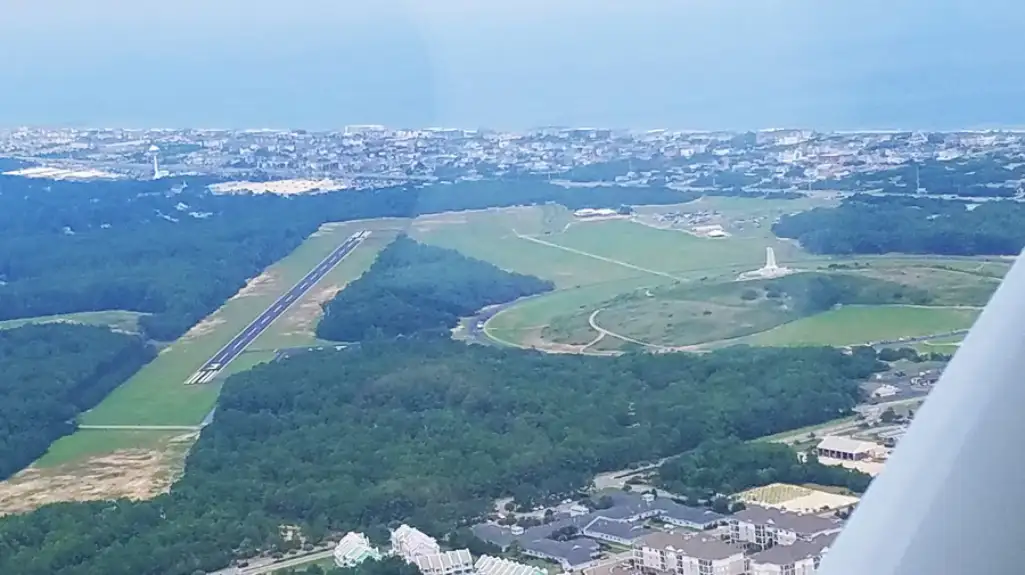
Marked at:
<point>157,395</point>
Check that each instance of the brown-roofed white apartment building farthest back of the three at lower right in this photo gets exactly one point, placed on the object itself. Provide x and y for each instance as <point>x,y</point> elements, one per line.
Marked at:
<point>767,527</point>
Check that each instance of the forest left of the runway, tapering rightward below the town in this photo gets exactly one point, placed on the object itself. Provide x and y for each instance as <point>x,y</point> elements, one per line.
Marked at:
<point>178,253</point>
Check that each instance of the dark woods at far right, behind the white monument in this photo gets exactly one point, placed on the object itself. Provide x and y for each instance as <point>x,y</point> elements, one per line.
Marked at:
<point>883,225</point>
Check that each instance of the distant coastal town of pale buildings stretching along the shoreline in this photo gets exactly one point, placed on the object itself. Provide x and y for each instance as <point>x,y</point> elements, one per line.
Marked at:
<point>366,157</point>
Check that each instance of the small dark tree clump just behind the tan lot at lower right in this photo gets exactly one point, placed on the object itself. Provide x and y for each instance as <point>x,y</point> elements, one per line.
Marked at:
<point>727,467</point>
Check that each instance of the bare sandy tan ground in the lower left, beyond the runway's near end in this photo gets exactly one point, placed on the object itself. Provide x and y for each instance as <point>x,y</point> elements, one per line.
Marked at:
<point>133,474</point>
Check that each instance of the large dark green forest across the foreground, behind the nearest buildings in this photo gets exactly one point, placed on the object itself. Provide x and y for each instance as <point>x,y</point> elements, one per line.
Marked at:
<point>426,431</point>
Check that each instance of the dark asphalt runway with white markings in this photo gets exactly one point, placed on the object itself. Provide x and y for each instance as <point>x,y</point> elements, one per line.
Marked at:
<point>253,332</point>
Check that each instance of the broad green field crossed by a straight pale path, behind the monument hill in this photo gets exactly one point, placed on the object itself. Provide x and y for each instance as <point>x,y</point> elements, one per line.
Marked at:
<point>594,262</point>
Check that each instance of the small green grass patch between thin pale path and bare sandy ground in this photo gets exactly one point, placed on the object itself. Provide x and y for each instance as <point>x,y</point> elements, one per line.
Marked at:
<point>86,443</point>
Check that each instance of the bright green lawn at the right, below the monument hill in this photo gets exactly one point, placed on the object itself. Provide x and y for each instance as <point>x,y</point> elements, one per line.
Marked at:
<point>863,324</point>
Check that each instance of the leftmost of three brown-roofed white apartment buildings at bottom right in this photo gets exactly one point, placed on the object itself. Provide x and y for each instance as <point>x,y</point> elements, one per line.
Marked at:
<point>689,555</point>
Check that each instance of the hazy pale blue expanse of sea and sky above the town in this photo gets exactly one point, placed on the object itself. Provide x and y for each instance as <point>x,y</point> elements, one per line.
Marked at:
<point>643,64</point>
